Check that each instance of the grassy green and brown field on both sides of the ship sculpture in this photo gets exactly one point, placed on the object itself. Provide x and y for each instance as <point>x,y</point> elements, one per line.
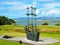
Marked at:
<point>18,31</point>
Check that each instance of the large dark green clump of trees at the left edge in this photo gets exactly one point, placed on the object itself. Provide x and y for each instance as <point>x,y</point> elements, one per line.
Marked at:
<point>6,21</point>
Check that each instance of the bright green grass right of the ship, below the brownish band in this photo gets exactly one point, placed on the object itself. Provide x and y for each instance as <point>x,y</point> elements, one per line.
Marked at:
<point>51,35</point>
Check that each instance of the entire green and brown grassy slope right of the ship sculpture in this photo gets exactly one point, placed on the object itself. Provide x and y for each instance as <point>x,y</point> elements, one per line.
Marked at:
<point>51,32</point>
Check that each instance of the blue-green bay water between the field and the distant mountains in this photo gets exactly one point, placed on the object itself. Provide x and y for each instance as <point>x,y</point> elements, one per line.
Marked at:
<point>38,23</point>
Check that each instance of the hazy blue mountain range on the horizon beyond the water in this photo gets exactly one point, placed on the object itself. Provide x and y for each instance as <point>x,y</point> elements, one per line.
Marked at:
<point>40,18</point>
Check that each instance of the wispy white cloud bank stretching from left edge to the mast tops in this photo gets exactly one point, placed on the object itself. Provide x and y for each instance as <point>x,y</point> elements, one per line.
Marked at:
<point>16,5</point>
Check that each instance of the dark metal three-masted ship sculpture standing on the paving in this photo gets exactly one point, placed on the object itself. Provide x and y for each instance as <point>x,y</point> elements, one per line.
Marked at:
<point>31,30</point>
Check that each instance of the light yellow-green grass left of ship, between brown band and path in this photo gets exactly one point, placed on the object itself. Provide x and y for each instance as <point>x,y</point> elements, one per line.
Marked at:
<point>13,34</point>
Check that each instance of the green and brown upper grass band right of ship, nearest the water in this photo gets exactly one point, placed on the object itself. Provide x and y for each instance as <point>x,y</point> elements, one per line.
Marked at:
<point>49,28</point>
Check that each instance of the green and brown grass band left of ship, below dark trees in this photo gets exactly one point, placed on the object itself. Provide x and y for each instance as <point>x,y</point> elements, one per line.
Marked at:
<point>12,28</point>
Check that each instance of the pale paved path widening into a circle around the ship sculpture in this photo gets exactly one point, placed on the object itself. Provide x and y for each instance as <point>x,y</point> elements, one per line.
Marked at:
<point>41,42</point>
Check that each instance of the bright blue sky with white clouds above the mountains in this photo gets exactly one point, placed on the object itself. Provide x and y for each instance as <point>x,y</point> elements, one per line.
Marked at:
<point>17,8</point>
